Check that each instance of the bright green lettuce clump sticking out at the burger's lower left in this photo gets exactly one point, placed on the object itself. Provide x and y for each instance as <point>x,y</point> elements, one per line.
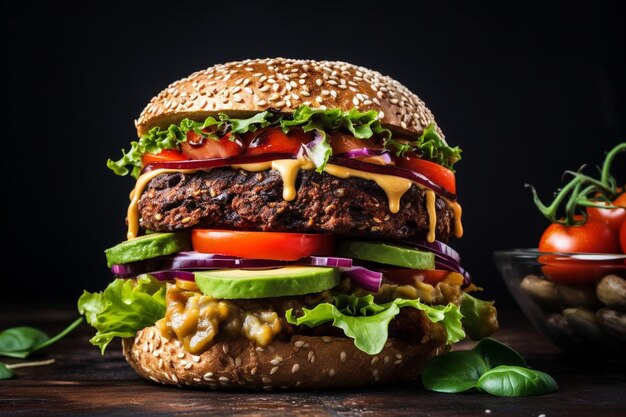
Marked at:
<point>123,308</point>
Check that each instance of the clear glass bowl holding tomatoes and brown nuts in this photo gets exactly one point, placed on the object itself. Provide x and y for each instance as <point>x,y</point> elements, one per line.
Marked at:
<point>578,300</point>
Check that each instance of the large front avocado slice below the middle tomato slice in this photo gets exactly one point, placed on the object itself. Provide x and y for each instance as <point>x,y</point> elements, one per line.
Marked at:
<point>264,283</point>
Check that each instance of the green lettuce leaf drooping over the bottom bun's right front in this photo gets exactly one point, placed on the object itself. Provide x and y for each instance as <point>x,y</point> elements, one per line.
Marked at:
<point>367,323</point>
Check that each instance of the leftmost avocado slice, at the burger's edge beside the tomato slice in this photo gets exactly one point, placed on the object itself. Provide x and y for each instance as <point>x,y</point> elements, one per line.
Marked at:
<point>147,246</point>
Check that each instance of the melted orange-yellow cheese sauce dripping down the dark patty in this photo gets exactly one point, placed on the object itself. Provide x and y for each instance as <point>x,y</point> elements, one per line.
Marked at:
<point>394,188</point>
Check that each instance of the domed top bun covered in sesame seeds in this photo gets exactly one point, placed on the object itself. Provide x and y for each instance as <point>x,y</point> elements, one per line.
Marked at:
<point>244,87</point>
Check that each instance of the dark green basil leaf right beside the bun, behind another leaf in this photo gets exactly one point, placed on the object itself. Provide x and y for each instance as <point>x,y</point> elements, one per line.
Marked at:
<point>453,372</point>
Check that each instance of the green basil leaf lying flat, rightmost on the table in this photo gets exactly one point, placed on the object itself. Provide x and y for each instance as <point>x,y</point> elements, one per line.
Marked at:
<point>516,381</point>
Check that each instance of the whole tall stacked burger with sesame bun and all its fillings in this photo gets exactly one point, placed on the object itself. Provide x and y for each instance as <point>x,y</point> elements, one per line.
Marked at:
<point>287,229</point>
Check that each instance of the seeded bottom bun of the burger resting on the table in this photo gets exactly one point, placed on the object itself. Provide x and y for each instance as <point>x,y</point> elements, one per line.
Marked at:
<point>304,362</point>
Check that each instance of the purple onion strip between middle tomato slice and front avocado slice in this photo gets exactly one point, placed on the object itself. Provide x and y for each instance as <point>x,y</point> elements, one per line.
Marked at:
<point>191,260</point>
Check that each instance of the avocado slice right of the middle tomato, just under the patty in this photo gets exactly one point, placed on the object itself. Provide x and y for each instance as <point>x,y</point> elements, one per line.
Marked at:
<point>385,253</point>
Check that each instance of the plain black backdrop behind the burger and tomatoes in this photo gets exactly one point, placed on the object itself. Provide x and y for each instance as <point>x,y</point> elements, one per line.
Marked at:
<point>528,90</point>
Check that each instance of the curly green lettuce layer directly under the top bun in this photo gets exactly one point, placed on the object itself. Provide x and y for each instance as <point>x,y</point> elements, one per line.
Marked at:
<point>362,125</point>
